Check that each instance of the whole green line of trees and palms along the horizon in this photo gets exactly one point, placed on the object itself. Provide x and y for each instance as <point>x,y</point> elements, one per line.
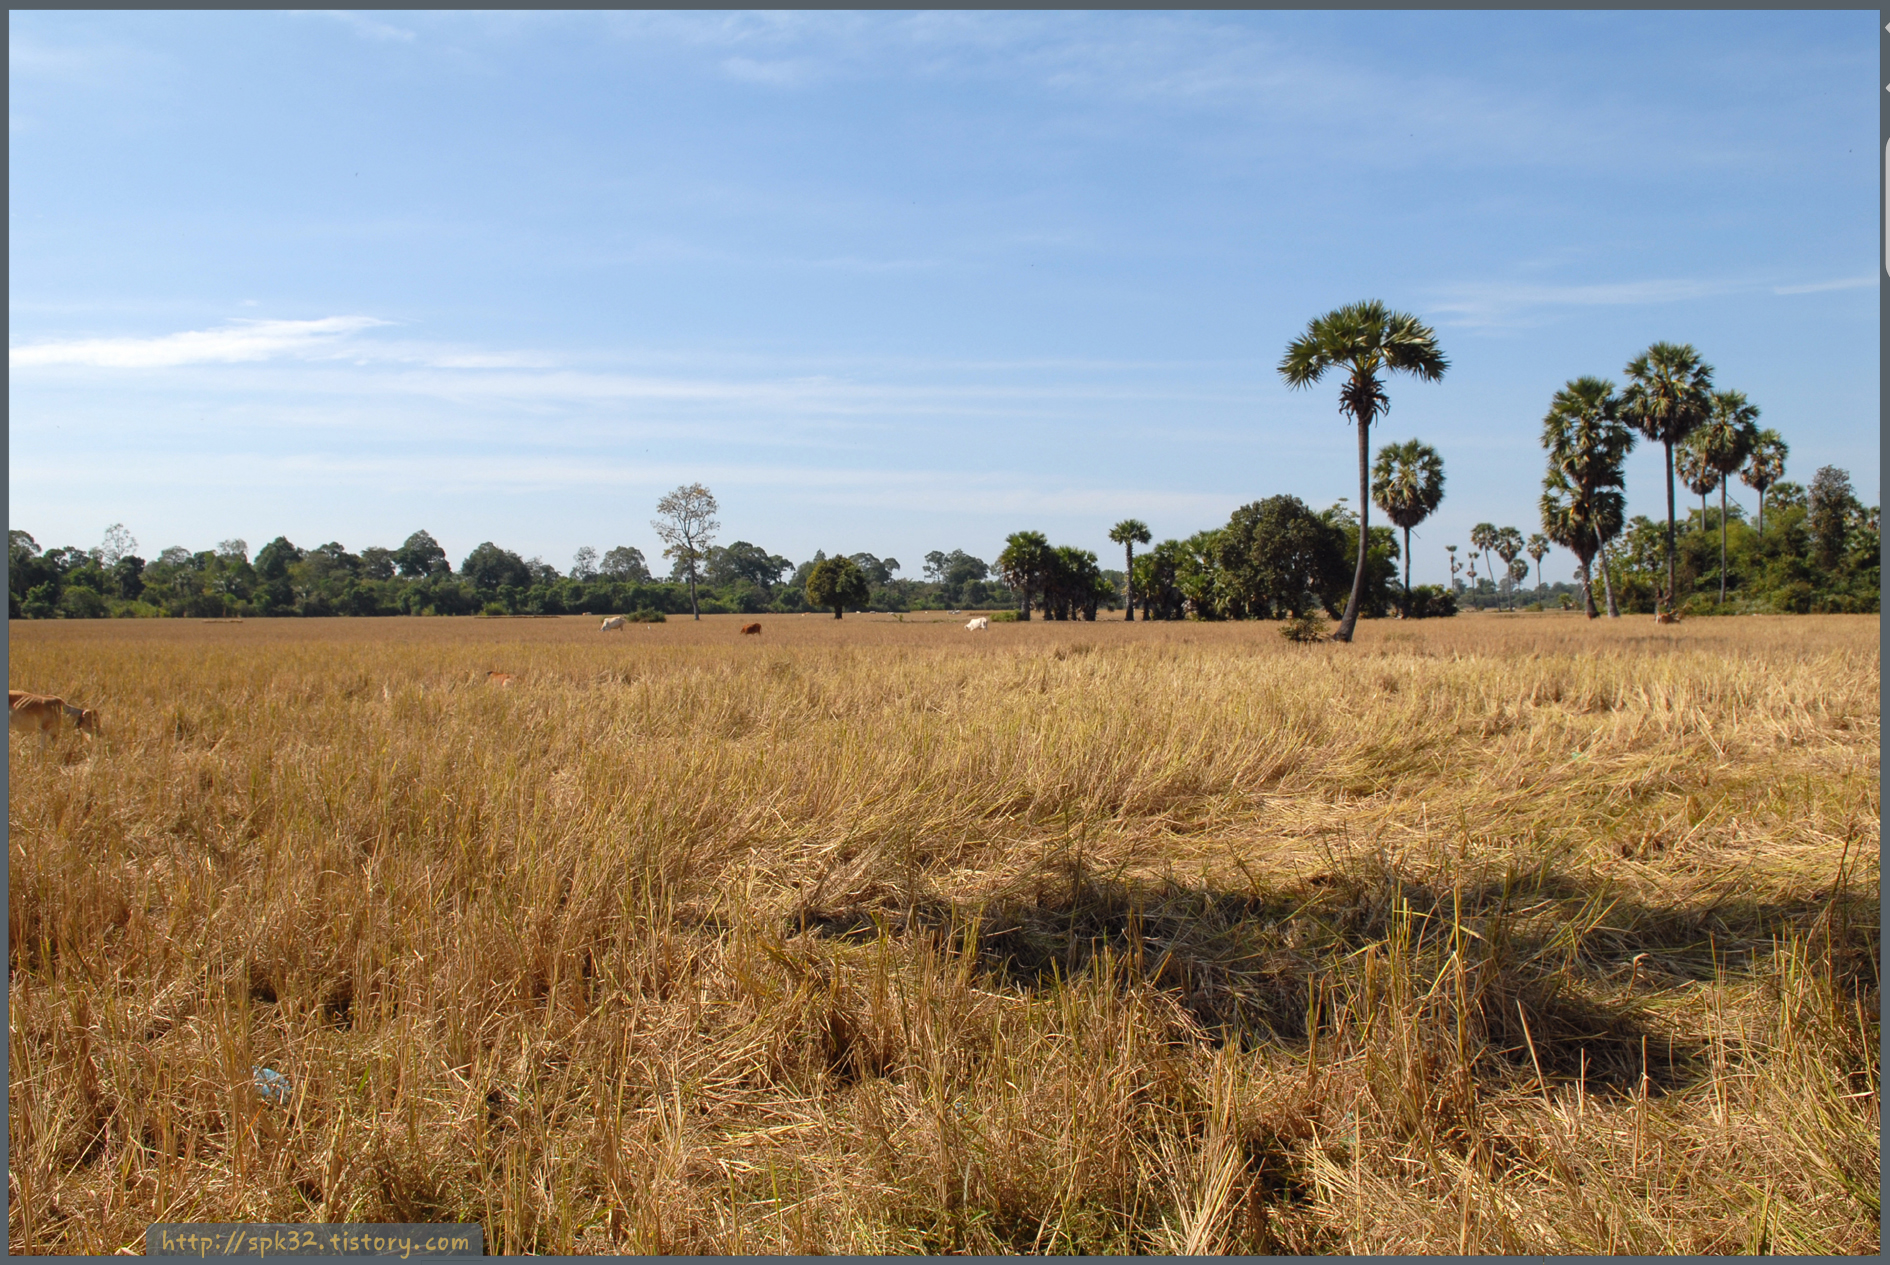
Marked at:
<point>1275,559</point>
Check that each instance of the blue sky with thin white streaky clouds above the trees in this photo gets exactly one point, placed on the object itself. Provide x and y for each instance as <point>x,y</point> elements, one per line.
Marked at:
<point>895,283</point>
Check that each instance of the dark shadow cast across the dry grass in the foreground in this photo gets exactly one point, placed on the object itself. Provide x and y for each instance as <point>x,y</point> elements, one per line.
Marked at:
<point>1538,971</point>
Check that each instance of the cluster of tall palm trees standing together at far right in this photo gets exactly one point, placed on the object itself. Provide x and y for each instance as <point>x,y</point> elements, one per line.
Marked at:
<point>1670,398</point>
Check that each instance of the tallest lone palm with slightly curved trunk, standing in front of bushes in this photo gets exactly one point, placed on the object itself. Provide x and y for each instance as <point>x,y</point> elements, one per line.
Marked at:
<point>1364,339</point>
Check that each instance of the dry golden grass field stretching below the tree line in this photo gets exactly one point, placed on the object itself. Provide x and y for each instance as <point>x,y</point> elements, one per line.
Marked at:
<point>1481,935</point>
